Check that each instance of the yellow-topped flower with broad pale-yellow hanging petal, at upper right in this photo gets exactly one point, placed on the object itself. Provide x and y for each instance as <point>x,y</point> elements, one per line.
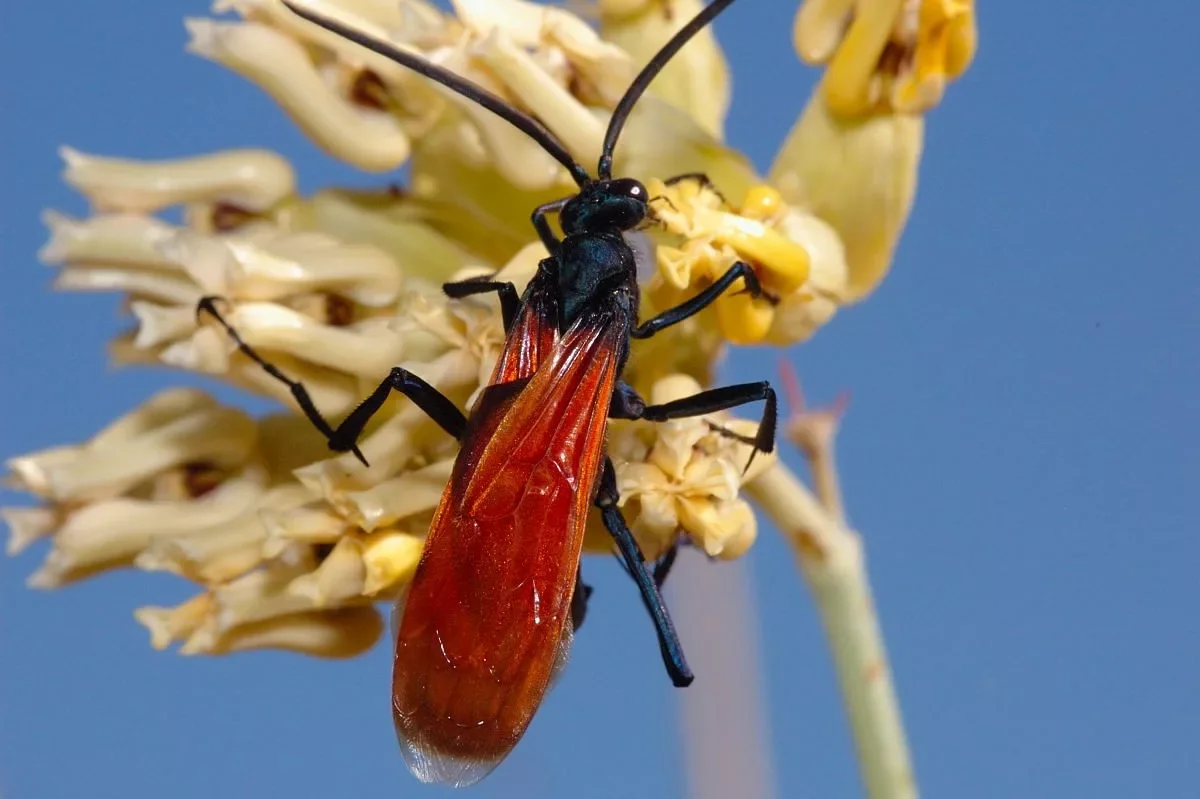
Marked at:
<point>853,158</point>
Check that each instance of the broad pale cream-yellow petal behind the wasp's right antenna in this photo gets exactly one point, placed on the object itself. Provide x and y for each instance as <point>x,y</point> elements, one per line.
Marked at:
<point>697,80</point>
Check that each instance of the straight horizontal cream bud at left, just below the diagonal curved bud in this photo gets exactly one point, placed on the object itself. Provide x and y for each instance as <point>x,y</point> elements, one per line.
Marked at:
<point>250,179</point>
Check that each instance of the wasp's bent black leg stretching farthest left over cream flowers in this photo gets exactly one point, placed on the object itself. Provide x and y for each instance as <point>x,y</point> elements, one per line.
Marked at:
<point>345,437</point>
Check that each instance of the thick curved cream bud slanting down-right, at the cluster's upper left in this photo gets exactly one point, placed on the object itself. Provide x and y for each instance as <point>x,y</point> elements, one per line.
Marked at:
<point>365,137</point>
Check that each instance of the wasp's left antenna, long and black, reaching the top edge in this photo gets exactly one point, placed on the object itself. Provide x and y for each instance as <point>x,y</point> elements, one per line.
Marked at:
<point>473,92</point>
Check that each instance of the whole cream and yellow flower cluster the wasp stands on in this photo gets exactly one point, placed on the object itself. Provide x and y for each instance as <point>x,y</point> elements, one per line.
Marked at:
<point>293,549</point>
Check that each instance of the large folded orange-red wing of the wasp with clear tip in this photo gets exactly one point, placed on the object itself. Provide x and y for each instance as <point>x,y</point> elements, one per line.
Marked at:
<point>488,615</point>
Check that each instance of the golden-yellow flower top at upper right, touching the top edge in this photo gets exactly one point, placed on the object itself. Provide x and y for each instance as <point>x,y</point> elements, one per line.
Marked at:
<point>886,56</point>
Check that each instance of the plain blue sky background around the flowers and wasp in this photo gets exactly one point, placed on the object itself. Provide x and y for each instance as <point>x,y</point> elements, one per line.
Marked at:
<point>1019,453</point>
